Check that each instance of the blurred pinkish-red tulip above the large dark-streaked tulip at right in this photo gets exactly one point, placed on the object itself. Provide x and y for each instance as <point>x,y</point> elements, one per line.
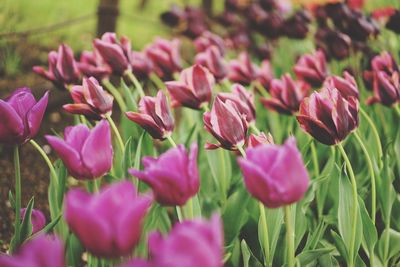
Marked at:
<point>312,68</point>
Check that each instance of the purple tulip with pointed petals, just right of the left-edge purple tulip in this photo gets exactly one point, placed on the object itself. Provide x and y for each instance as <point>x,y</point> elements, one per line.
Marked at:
<point>86,153</point>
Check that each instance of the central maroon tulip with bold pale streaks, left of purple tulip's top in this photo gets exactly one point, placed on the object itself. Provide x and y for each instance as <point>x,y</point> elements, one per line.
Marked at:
<point>226,124</point>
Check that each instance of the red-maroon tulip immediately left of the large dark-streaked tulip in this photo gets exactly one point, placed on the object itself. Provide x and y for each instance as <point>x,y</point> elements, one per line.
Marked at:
<point>286,95</point>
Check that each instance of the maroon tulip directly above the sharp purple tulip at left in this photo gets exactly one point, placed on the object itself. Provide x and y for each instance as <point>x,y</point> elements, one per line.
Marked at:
<point>90,100</point>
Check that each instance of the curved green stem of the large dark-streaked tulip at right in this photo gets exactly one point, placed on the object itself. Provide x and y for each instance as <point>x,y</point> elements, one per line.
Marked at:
<point>355,204</point>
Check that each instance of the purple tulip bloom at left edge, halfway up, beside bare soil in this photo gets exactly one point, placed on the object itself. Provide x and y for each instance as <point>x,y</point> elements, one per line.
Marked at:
<point>21,116</point>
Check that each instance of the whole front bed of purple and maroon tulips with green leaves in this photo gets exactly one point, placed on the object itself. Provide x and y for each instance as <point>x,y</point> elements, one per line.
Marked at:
<point>146,211</point>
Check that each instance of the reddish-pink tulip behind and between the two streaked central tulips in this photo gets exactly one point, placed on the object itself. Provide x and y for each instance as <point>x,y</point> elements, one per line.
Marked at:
<point>194,88</point>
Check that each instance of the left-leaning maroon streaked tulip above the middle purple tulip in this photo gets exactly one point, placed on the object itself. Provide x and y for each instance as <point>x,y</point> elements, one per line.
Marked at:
<point>154,116</point>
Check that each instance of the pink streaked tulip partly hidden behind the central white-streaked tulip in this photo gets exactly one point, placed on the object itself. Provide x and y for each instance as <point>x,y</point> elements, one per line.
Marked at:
<point>243,100</point>
